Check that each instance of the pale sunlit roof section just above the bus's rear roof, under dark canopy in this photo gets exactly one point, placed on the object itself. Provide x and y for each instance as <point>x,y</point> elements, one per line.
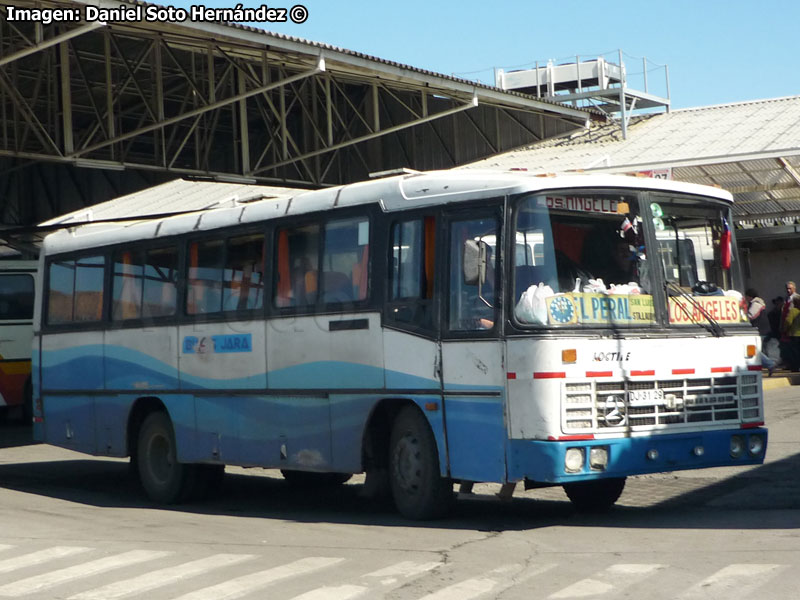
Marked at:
<point>175,197</point>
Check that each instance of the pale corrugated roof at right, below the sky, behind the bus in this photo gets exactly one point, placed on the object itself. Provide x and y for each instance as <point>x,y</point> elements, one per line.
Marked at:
<point>751,148</point>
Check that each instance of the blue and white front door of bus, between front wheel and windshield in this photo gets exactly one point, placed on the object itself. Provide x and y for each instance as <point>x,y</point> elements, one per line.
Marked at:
<point>473,377</point>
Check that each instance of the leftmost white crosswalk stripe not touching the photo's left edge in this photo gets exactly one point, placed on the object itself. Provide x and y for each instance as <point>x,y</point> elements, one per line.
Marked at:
<point>162,577</point>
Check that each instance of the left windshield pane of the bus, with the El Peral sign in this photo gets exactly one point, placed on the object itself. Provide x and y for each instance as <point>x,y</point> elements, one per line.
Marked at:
<point>584,262</point>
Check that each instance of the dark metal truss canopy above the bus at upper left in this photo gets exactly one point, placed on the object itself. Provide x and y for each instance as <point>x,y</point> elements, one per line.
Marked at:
<point>93,110</point>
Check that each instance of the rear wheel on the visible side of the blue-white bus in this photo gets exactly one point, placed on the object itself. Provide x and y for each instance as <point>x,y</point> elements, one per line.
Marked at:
<point>163,478</point>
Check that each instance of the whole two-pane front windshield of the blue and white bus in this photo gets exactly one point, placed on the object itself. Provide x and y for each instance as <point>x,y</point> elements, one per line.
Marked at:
<point>583,260</point>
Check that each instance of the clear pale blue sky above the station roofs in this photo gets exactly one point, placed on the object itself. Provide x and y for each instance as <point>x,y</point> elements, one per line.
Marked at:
<point>716,51</point>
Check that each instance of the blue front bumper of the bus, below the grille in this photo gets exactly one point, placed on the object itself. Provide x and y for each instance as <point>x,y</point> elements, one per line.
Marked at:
<point>543,461</point>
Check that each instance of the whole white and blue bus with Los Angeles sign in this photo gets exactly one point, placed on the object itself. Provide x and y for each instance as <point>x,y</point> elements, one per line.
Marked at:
<point>425,329</point>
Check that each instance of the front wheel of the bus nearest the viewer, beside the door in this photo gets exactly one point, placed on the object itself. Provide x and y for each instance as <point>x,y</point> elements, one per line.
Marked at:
<point>418,490</point>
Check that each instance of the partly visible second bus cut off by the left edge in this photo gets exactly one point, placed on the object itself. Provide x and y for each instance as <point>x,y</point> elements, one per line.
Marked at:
<point>17,284</point>
